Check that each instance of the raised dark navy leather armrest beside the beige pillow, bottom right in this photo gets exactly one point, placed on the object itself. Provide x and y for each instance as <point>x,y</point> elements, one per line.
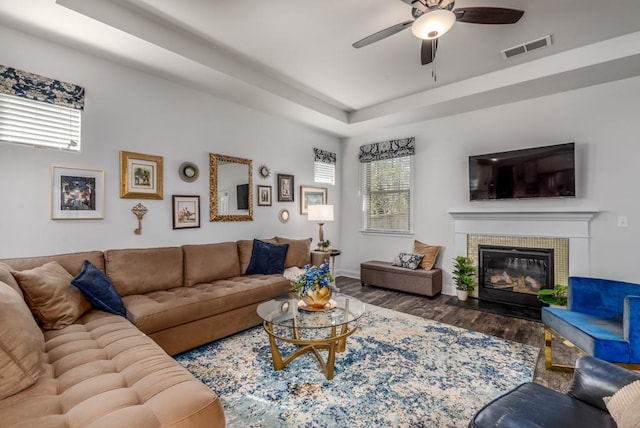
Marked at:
<point>594,378</point>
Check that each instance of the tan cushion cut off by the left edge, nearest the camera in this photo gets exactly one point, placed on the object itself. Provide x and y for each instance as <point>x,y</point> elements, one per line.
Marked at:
<point>21,344</point>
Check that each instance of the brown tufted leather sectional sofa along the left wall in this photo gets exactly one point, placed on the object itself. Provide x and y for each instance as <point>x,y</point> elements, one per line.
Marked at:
<point>104,370</point>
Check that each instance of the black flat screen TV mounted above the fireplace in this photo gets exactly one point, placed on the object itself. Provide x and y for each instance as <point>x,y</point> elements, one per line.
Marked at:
<point>539,172</point>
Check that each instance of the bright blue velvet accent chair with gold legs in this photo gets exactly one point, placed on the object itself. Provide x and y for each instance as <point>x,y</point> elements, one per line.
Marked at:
<point>602,319</point>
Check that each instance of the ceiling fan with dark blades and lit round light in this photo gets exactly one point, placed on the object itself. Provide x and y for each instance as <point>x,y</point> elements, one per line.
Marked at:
<point>433,18</point>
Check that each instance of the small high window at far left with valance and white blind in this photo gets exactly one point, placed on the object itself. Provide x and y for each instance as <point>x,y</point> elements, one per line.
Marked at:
<point>39,111</point>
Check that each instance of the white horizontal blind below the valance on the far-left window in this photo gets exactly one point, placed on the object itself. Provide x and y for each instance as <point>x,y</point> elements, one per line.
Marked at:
<point>33,123</point>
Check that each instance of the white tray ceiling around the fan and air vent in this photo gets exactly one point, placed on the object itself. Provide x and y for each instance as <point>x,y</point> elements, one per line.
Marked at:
<point>295,59</point>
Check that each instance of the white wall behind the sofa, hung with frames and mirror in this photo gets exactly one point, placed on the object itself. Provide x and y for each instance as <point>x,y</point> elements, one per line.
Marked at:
<point>134,111</point>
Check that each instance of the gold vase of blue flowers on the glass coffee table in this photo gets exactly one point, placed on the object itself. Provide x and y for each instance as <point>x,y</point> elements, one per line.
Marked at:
<point>315,286</point>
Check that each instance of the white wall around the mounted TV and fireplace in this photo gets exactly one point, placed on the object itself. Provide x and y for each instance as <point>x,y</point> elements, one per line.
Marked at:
<point>604,121</point>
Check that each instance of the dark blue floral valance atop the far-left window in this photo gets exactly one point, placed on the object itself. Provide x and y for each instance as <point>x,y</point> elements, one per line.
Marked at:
<point>40,88</point>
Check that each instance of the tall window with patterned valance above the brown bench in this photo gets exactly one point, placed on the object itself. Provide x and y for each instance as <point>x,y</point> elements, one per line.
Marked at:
<point>387,186</point>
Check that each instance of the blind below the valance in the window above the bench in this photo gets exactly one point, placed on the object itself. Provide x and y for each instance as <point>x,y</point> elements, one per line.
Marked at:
<point>386,195</point>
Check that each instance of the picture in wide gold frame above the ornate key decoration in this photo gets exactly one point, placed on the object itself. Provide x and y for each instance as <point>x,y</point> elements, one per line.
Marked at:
<point>140,176</point>
